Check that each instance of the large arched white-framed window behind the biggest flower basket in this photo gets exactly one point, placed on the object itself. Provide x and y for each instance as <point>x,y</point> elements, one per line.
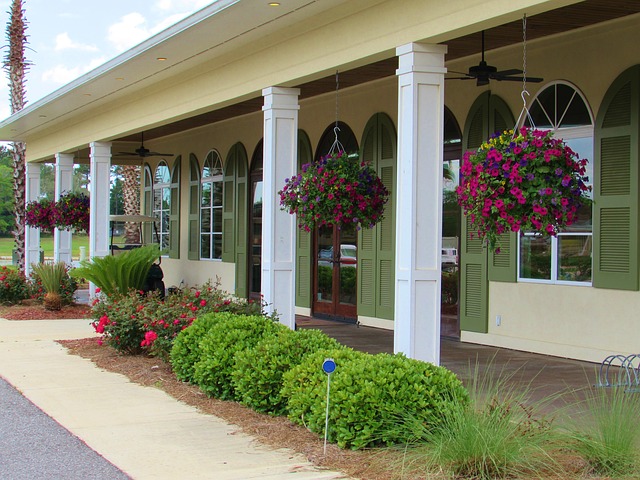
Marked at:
<point>566,258</point>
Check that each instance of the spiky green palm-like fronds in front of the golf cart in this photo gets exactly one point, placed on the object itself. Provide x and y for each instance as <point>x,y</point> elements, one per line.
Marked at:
<point>121,273</point>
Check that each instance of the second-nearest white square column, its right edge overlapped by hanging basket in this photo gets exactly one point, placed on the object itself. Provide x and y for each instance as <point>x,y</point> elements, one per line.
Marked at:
<point>278,227</point>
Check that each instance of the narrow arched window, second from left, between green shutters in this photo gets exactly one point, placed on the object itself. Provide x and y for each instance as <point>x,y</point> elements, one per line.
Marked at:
<point>211,208</point>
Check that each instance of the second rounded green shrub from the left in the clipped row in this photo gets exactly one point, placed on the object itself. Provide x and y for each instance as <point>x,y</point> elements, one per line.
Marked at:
<point>212,373</point>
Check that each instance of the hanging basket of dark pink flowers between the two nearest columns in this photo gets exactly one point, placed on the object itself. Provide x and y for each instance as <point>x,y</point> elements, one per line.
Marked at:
<point>335,191</point>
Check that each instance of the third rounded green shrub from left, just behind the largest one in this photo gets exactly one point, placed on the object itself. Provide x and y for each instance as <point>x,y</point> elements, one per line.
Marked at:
<point>258,372</point>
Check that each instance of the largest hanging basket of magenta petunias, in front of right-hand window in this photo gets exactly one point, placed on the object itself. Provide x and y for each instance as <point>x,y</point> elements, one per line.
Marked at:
<point>528,182</point>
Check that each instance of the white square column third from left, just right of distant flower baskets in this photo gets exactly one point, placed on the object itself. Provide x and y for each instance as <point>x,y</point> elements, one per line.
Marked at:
<point>99,199</point>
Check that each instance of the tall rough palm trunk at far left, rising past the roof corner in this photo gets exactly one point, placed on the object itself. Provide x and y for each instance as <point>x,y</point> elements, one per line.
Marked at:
<point>16,65</point>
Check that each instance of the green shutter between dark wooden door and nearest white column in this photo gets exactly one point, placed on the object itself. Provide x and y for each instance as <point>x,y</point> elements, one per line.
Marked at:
<point>376,246</point>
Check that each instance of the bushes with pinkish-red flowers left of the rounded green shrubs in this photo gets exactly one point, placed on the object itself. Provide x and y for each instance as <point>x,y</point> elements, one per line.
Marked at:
<point>134,323</point>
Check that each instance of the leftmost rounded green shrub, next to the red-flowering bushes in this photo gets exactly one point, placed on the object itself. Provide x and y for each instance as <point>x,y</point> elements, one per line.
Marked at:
<point>185,352</point>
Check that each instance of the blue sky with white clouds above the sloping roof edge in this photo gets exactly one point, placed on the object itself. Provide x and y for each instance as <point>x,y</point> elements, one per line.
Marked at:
<point>68,38</point>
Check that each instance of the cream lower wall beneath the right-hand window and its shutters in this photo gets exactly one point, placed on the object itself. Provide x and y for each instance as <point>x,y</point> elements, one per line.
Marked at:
<point>566,321</point>
